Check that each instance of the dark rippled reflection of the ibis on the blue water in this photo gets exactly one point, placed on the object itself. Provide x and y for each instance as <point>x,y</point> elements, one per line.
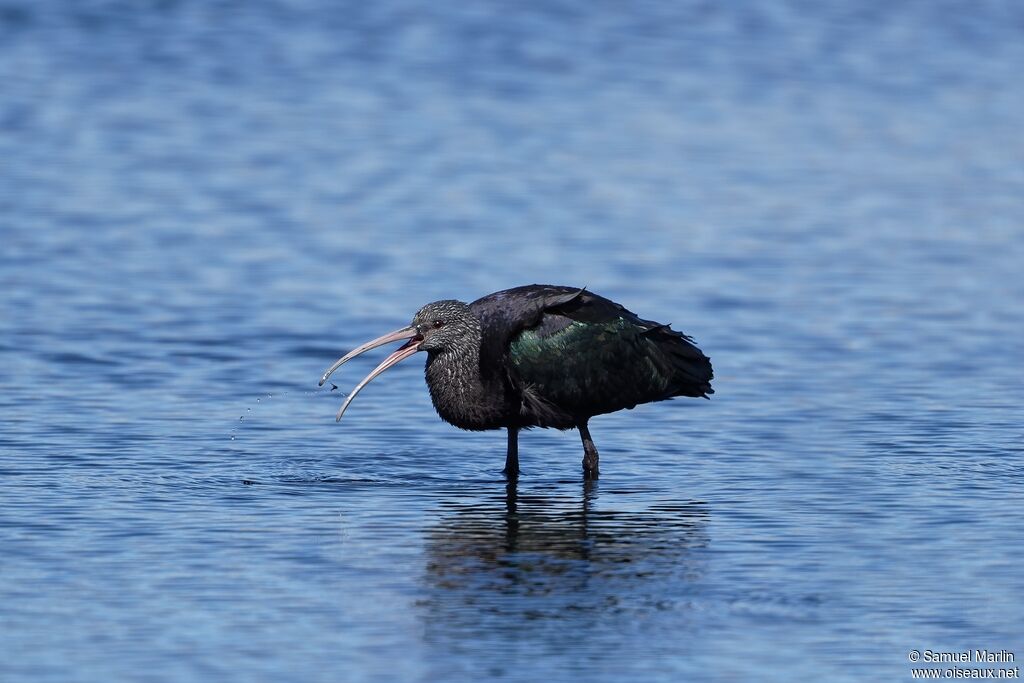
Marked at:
<point>561,554</point>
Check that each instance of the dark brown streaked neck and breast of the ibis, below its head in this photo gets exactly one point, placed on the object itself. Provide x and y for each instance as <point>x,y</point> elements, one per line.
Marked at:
<point>462,394</point>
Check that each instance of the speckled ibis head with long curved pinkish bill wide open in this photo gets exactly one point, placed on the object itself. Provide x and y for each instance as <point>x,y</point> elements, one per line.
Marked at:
<point>436,328</point>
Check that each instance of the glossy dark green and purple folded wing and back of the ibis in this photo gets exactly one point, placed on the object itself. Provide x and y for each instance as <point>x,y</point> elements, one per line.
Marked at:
<point>572,355</point>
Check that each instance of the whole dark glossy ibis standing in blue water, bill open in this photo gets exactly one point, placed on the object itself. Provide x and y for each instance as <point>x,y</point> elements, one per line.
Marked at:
<point>542,357</point>
